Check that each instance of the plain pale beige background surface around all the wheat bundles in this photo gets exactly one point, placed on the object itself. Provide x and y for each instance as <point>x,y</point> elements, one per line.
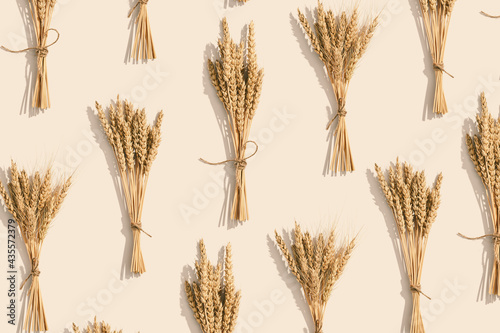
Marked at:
<point>88,249</point>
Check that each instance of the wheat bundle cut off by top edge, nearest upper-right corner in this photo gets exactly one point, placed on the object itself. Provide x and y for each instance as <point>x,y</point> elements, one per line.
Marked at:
<point>436,16</point>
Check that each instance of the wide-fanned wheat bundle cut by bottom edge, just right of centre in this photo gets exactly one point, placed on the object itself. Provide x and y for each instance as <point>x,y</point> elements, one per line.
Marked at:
<point>317,264</point>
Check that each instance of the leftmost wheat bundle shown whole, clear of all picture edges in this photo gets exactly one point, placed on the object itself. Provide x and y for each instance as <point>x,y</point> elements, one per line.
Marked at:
<point>135,144</point>
